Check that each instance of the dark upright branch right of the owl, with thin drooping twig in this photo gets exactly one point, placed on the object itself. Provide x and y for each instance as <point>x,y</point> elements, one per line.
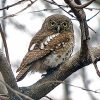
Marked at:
<point>85,45</point>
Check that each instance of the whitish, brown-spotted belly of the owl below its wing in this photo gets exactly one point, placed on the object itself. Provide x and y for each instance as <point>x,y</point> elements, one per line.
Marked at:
<point>57,57</point>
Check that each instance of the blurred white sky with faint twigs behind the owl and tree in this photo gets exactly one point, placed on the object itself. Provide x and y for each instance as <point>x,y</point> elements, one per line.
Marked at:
<point>20,24</point>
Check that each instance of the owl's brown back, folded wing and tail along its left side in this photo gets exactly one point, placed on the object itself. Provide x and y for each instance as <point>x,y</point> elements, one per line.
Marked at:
<point>34,53</point>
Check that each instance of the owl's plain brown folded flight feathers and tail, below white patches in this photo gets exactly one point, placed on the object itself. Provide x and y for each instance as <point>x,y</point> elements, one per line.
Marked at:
<point>29,58</point>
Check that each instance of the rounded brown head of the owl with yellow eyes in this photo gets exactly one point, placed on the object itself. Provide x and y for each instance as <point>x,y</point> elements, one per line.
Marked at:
<point>57,24</point>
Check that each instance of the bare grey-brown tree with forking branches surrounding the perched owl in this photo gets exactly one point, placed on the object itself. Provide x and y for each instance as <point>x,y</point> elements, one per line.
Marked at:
<point>85,56</point>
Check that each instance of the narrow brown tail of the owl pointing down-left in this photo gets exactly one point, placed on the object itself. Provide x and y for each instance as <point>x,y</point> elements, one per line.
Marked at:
<point>22,73</point>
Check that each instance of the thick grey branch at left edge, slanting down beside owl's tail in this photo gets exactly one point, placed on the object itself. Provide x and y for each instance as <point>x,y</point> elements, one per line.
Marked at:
<point>7,73</point>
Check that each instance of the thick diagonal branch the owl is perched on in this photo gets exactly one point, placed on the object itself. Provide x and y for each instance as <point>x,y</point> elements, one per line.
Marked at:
<point>46,84</point>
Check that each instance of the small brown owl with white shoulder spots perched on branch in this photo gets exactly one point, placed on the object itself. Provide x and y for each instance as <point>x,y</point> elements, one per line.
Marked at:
<point>51,46</point>
